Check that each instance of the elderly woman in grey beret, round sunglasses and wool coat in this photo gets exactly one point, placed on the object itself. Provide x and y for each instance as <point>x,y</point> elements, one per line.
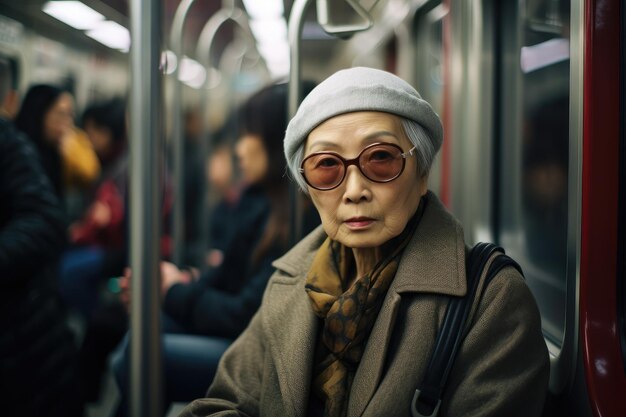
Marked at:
<point>349,319</point>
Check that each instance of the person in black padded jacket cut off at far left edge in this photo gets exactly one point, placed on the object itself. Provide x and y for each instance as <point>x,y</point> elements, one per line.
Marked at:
<point>38,374</point>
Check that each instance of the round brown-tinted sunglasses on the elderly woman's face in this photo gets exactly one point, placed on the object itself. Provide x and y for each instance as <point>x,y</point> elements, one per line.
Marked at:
<point>378,162</point>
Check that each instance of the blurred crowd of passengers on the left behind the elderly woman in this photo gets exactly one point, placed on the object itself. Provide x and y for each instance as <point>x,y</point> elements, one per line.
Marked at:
<point>64,244</point>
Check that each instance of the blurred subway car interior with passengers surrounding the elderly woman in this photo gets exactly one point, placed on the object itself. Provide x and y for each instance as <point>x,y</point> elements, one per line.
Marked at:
<point>156,177</point>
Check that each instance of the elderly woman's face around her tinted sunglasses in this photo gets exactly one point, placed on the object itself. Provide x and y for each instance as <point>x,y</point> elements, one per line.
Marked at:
<point>360,213</point>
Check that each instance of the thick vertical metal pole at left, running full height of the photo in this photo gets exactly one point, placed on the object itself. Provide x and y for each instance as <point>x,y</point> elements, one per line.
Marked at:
<point>145,160</point>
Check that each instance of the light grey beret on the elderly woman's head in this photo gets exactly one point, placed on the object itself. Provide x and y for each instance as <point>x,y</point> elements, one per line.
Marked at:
<point>361,89</point>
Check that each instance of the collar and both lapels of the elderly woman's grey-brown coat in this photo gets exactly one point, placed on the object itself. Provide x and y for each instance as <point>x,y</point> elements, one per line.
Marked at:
<point>433,262</point>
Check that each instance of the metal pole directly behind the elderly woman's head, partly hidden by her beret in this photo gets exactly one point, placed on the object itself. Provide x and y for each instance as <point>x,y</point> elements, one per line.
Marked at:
<point>296,22</point>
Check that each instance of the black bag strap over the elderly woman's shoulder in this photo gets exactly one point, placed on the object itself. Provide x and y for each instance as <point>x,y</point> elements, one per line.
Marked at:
<point>427,397</point>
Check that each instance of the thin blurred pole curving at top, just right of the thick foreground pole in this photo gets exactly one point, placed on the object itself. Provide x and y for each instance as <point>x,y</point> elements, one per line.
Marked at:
<point>178,141</point>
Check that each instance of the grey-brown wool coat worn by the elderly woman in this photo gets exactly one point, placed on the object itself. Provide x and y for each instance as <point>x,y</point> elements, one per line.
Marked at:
<point>502,367</point>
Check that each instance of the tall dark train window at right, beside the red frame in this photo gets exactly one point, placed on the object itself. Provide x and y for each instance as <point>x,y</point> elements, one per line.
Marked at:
<point>534,144</point>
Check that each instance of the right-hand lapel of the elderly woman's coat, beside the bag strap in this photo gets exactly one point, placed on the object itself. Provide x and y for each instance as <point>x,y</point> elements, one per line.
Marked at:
<point>430,264</point>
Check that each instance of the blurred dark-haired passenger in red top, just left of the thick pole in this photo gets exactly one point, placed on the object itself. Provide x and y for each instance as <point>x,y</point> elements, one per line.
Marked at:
<point>99,238</point>
